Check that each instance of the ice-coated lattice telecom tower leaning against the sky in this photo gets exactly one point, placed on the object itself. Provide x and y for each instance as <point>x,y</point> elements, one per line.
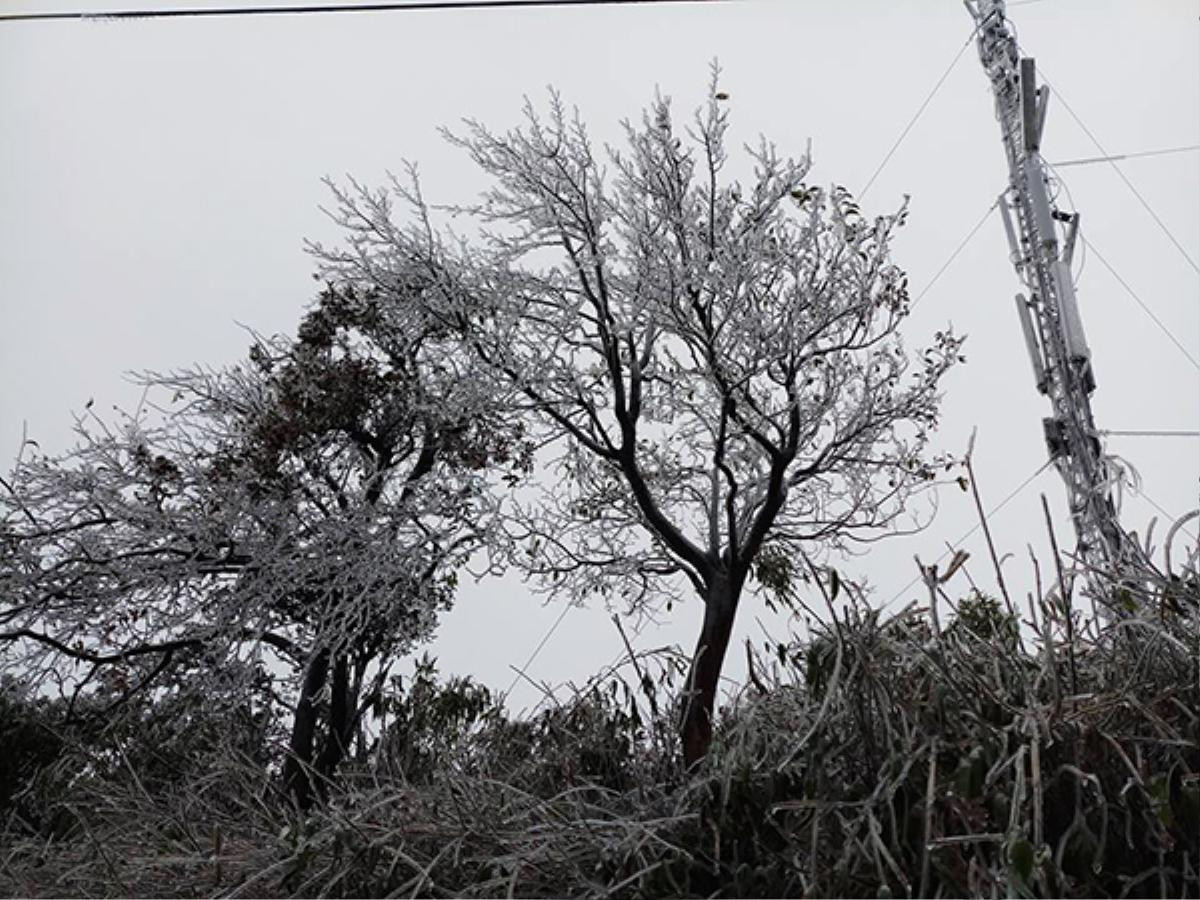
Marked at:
<point>1042,239</point>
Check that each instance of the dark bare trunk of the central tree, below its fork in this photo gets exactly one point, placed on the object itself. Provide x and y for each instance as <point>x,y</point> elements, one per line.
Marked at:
<point>697,723</point>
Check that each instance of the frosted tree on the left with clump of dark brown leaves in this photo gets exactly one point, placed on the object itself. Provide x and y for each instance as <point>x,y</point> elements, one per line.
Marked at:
<point>316,501</point>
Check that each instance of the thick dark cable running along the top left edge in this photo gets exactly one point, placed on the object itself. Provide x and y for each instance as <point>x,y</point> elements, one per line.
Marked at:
<point>325,9</point>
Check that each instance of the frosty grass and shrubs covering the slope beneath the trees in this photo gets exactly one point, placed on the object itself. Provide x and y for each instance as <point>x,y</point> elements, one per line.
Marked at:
<point>875,759</point>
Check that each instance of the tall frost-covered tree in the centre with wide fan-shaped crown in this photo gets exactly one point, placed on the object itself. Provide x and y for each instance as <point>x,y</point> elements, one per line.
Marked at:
<point>721,363</point>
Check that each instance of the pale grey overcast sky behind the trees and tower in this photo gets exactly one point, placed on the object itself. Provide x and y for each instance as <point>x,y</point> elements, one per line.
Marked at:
<point>158,179</point>
